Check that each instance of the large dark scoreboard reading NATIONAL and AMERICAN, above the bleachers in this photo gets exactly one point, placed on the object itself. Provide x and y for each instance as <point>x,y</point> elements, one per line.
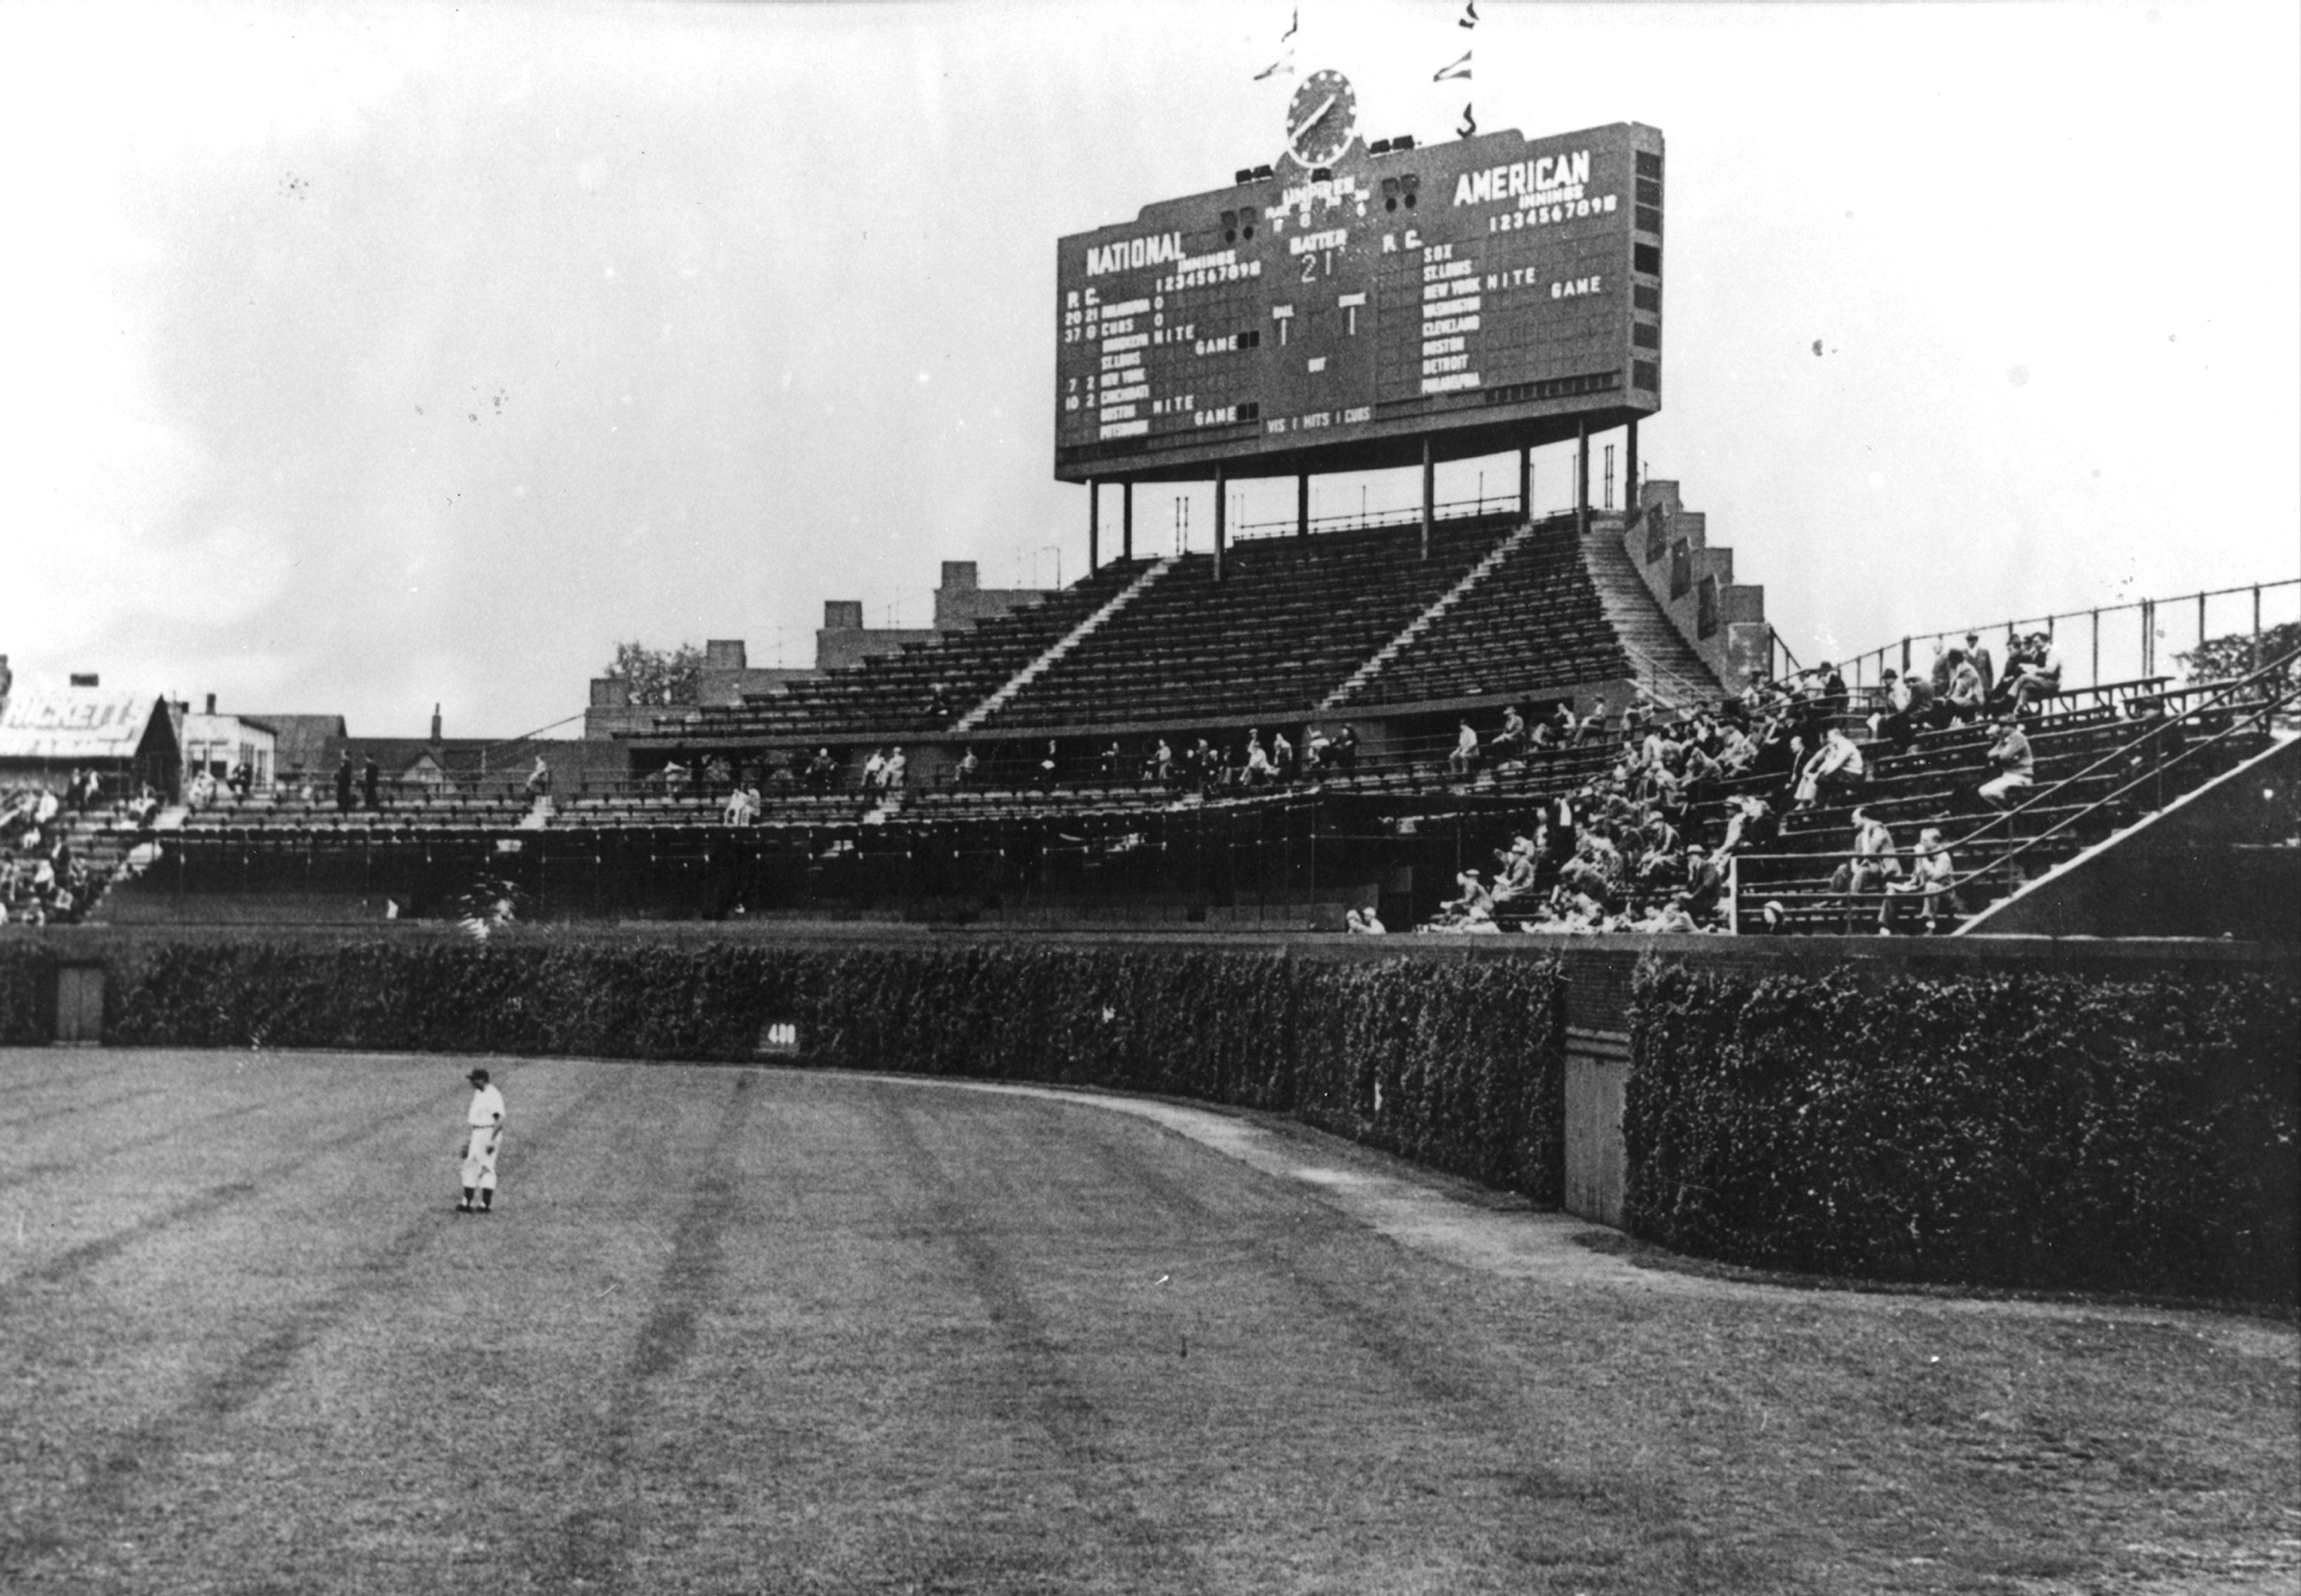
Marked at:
<point>1483,296</point>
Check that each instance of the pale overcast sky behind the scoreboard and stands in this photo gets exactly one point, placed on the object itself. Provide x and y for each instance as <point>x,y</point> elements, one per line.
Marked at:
<point>372,358</point>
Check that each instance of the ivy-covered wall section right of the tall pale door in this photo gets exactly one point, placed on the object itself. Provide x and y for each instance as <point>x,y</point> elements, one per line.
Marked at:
<point>1996,1126</point>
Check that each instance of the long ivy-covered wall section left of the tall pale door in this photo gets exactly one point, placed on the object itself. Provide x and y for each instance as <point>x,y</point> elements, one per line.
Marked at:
<point>1448,1061</point>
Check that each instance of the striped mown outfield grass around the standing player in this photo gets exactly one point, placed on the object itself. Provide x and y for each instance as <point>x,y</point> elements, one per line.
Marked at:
<point>793,1333</point>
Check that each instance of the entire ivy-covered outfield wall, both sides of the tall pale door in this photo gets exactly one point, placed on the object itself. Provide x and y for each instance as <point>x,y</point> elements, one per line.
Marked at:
<point>1932,1112</point>
